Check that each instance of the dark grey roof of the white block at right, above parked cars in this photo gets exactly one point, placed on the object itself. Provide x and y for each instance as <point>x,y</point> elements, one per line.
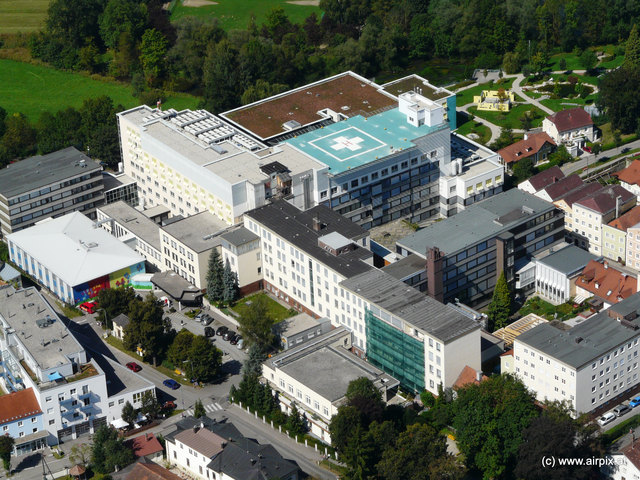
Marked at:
<point>587,341</point>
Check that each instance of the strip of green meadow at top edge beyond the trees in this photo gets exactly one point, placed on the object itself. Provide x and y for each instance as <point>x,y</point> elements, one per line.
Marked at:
<point>235,14</point>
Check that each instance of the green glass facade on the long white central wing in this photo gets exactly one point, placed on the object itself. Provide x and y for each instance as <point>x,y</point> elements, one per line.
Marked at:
<point>396,353</point>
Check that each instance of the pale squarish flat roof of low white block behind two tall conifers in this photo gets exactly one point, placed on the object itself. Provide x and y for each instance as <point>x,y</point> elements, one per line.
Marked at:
<point>200,232</point>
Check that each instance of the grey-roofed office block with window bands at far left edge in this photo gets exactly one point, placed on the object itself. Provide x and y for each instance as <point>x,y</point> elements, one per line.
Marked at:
<point>48,186</point>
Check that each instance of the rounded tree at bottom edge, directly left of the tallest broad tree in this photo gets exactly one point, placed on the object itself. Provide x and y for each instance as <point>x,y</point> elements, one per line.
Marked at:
<point>419,453</point>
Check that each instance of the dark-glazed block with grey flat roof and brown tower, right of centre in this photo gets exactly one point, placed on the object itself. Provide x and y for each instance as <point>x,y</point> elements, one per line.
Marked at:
<point>498,232</point>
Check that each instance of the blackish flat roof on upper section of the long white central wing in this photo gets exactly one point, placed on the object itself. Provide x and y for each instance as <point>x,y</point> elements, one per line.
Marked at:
<point>296,227</point>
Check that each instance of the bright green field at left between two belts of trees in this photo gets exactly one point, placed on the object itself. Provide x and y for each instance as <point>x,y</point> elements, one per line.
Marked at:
<point>33,89</point>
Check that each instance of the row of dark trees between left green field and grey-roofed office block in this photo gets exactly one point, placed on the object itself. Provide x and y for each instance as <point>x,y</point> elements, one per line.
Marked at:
<point>92,128</point>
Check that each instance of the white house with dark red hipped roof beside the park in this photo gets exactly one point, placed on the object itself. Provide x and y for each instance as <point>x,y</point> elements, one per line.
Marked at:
<point>573,125</point>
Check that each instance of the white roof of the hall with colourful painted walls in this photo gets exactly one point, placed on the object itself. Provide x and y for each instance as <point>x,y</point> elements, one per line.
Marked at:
<point>74,249</point>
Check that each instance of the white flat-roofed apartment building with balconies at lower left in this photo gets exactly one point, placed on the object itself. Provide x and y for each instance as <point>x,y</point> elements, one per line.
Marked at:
<point>38,352</point>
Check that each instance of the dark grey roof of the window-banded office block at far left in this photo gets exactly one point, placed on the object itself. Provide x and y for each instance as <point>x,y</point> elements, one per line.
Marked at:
<point>43,170</point>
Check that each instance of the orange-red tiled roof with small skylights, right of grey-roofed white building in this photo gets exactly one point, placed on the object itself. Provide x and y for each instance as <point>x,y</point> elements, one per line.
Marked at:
<point>612,285</point>
